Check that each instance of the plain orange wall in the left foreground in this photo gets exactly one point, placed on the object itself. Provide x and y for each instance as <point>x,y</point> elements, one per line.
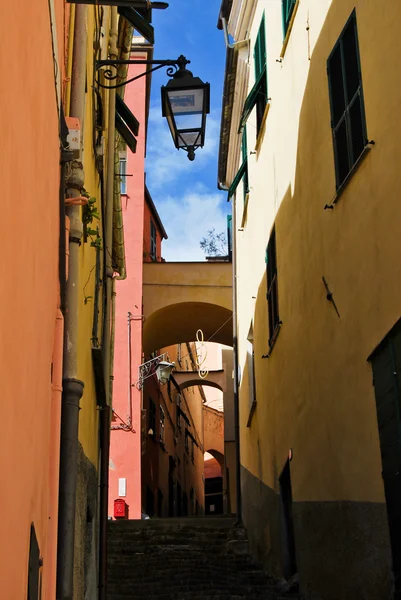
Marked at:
<point>29,166</point>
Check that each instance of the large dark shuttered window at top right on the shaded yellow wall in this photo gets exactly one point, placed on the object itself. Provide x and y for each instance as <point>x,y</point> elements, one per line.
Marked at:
<point>346,101</point>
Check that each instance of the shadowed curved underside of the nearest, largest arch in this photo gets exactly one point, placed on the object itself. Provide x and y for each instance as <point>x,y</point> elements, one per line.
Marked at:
<point>176,323</point>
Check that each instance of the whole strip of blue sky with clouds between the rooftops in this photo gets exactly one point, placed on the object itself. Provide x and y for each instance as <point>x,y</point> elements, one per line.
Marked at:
<point>185,193</point>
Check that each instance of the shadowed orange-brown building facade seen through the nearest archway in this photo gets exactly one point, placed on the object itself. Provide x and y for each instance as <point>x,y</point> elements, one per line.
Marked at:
<point>173,442</point>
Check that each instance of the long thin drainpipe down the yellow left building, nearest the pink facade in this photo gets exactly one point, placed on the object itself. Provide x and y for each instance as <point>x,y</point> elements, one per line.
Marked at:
<point>108,324</point>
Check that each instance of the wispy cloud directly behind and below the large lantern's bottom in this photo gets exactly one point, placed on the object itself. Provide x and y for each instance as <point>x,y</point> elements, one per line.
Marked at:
<point>165,164</point>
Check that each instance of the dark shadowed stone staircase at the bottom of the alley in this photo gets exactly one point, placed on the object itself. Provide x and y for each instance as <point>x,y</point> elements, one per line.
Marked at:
<point>203,558</point>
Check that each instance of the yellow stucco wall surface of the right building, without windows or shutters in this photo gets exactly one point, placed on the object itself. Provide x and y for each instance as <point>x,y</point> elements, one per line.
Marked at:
<point>314,392</point>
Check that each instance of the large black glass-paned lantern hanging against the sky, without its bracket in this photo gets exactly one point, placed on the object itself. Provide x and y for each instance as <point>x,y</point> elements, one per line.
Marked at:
<point>185,104</point>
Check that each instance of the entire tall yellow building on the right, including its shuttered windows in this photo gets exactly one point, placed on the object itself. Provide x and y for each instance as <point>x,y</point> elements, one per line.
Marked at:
<point>307,136</point>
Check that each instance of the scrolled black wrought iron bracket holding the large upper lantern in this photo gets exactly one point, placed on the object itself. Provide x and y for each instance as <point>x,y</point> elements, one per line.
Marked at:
<point>110,73</point>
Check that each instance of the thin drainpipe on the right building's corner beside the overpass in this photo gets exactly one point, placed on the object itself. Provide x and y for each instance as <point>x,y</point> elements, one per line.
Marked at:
<point>235,361</point>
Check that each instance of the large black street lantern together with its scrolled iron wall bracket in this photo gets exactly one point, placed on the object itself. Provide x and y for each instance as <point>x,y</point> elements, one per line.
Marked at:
<point>185,98</point>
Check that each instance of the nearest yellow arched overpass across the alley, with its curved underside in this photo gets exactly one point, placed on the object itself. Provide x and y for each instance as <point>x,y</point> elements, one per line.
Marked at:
<point>180,298</point>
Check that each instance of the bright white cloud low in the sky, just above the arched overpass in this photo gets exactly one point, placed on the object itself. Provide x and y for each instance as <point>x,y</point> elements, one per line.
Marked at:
<point>187,218</point>
